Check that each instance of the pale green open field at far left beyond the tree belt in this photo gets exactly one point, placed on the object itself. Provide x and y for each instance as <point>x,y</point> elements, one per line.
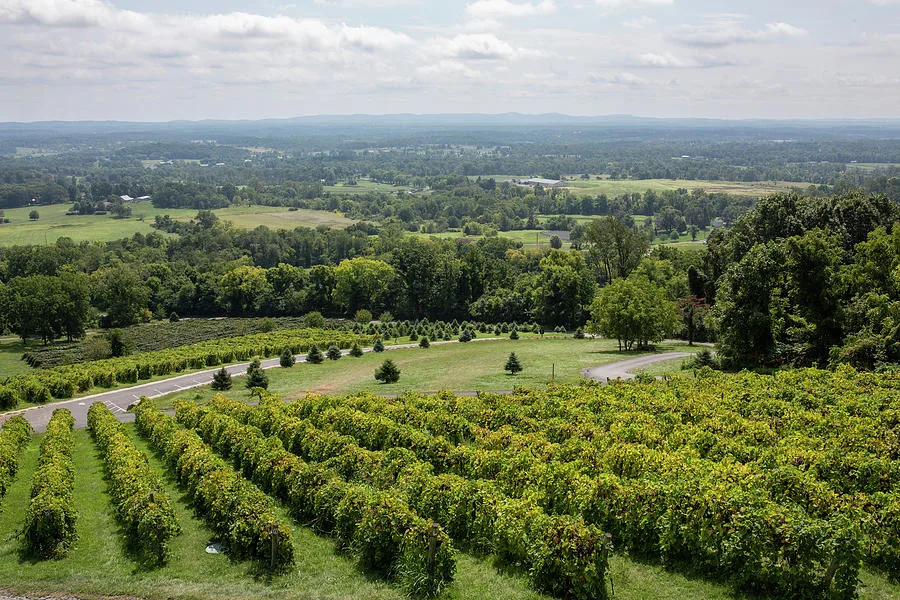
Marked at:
<point>54,223</point>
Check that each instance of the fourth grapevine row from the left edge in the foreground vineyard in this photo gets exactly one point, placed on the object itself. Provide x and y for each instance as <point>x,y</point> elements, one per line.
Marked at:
<point>234,508</point>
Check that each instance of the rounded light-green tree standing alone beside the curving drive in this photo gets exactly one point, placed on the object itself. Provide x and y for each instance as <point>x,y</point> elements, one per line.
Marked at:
<point>635,311</point>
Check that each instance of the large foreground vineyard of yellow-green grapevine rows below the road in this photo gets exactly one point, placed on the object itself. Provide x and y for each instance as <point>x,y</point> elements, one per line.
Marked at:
<point>782,486</point>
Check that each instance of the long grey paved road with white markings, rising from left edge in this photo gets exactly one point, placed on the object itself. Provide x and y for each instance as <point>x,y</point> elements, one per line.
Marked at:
<point>119,400</point>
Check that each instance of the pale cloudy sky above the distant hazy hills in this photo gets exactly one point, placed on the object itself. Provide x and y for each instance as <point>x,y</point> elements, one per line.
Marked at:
<point>165,60</point>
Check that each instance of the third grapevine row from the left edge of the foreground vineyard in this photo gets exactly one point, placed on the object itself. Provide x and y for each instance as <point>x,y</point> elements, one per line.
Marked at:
<point>137,492</point>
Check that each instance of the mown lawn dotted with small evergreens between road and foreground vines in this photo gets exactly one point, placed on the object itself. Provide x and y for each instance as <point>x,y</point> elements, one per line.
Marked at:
<point>457,367</point>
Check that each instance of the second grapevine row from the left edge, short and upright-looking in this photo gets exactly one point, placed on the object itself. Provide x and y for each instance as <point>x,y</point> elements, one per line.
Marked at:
<point>50,516</point>
